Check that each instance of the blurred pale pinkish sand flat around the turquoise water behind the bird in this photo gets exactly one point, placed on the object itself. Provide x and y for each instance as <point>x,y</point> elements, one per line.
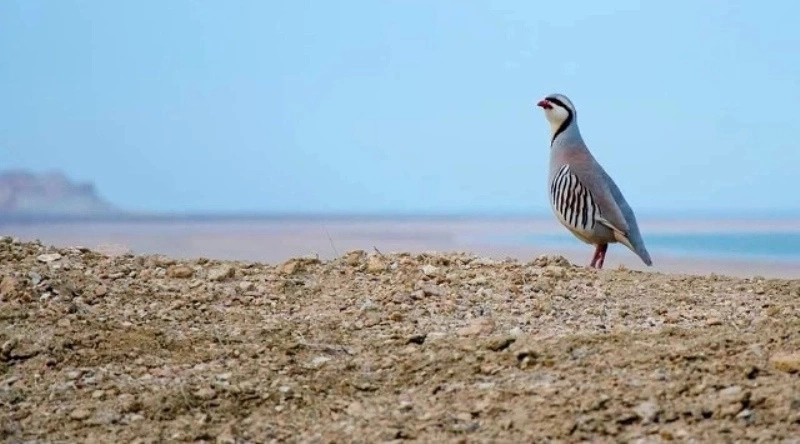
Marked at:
<point>277,241</point>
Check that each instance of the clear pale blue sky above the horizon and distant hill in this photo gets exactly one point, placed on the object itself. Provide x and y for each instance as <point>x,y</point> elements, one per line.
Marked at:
<point>401,105</point>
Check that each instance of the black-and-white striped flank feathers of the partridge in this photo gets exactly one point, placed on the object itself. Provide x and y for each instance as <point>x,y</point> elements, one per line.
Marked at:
<point>572,201</point>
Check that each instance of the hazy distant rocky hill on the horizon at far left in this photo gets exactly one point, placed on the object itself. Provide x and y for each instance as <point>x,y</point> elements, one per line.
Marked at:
<point>24,194</point>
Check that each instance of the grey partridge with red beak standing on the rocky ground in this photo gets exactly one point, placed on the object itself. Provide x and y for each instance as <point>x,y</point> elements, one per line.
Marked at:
<point>583,196</point>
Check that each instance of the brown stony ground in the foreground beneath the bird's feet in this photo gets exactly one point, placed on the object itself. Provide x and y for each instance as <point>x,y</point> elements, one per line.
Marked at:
<point>375,347</point>
